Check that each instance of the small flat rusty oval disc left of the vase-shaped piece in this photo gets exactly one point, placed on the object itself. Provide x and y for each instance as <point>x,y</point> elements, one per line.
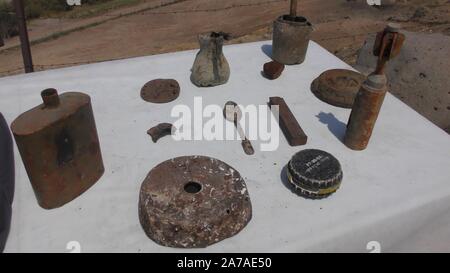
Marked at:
<point>160,91</point>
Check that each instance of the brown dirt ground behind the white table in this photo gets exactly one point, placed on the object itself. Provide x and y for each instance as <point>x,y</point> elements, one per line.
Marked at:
<point>341,27</point>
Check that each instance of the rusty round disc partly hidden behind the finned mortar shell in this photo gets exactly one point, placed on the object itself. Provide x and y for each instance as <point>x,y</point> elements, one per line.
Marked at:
<point>338,87</point>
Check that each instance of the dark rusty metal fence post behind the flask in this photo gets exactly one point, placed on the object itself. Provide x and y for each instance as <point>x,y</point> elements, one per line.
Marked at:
<point>24,41</point>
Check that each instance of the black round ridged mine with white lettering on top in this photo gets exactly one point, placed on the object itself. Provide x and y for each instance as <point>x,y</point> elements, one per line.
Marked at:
<point>315,173</point>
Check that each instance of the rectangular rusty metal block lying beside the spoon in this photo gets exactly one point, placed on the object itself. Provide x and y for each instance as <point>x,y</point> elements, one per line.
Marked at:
<point>288,124</point>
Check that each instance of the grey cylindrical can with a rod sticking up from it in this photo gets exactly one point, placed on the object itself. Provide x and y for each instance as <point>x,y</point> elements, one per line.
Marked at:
<point>291,36</point>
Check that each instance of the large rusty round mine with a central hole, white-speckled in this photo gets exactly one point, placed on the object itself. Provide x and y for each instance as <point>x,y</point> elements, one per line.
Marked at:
<point>193,202</point>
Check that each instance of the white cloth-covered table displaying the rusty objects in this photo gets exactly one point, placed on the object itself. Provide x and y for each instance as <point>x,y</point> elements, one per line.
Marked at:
<point>397,192</point>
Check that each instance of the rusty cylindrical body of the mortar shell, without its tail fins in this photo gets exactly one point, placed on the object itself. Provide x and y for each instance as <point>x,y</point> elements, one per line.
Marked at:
<point>365,112</point>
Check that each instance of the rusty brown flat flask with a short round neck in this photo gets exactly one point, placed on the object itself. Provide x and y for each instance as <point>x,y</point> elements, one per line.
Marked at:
<point>59,146</point>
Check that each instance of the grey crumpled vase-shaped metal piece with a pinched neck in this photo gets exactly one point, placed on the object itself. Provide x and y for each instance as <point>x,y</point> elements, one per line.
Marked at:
<point>210,67</point>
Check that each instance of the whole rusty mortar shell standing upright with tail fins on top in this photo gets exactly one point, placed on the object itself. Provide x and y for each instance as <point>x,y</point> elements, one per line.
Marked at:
<point>370,97</point>
